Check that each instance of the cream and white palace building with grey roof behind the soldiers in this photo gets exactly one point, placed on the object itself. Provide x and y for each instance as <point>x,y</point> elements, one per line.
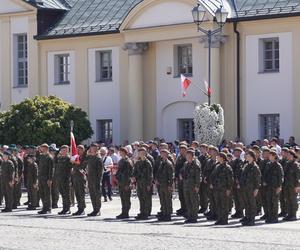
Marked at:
<point>121,60</point>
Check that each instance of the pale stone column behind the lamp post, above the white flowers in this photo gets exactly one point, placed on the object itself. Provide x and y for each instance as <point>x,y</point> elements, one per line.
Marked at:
<point>215,65</point>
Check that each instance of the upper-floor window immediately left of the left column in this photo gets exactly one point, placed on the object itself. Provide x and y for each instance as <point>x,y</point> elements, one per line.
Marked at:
<point>103,66</point>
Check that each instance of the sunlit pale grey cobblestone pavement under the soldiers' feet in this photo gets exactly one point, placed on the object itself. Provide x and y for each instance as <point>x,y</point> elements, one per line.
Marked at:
<point>26,230</point>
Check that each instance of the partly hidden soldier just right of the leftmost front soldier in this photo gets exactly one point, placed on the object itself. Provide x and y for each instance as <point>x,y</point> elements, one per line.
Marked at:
<point>19,166</point>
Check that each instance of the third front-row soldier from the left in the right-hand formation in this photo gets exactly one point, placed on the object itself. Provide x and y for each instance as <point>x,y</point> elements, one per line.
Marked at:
<point>164,182</point>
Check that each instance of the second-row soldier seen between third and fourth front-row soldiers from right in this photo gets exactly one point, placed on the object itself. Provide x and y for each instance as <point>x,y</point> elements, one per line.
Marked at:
<point>237,168</point>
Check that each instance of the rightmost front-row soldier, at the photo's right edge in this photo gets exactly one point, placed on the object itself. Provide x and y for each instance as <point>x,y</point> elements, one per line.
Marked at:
<point>292,185</point>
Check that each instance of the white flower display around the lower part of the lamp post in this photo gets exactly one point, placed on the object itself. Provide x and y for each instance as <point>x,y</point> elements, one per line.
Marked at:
<point>209,124</point>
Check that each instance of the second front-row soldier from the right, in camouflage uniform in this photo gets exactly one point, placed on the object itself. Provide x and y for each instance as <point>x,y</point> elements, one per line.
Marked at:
<point>273,182</point>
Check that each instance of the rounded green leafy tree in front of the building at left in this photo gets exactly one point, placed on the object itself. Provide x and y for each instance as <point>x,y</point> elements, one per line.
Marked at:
<point>43,119</point>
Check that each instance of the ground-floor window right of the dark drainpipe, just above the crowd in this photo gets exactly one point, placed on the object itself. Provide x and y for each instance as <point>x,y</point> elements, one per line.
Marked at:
<point>269,126</point>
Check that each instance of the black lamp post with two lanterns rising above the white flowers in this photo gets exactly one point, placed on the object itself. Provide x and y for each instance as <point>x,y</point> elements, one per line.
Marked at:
<point>221,14</point>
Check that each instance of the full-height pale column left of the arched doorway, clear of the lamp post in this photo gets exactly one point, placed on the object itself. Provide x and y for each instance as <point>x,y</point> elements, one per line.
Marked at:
<point>135,90</point>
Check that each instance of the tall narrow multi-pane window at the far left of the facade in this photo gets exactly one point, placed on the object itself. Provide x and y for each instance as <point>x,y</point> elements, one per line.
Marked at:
<point>21,63</point>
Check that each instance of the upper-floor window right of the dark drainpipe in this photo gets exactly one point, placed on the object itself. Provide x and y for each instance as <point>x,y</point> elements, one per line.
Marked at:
<point>269,55</point>
